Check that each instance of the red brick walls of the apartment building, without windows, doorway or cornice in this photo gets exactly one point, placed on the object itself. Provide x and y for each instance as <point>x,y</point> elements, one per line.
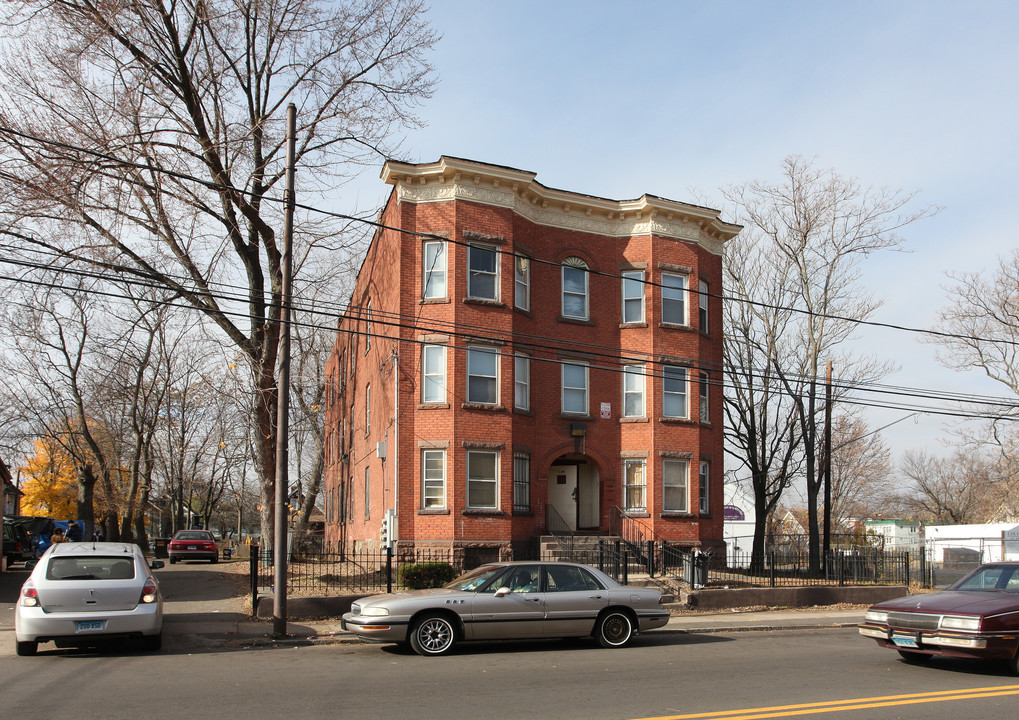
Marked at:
<point>392,278</point>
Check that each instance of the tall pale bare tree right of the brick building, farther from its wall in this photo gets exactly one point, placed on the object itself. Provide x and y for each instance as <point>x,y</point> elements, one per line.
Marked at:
<point>821,227</point>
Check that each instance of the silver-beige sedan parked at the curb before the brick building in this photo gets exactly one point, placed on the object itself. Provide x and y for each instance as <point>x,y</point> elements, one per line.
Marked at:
<point>511,600</point>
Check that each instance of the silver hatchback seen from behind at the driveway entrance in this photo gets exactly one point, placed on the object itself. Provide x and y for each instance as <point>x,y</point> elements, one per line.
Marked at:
<point>88,594</point>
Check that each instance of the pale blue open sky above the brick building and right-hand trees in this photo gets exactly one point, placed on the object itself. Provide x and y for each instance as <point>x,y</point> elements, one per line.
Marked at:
<point>680,99</point>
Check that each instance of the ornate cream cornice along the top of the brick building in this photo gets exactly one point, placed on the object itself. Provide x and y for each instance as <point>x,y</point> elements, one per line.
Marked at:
<point>454,179</point>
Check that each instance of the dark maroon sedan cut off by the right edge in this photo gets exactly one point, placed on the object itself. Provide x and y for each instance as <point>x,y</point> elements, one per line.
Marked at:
<point>978,618</point>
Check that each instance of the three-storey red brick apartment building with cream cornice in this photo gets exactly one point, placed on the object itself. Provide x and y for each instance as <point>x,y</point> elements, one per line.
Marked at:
<point>517,357</point>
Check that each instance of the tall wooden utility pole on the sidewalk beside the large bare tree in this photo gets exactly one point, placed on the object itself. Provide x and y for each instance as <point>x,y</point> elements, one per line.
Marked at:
<point>284,391</point>
